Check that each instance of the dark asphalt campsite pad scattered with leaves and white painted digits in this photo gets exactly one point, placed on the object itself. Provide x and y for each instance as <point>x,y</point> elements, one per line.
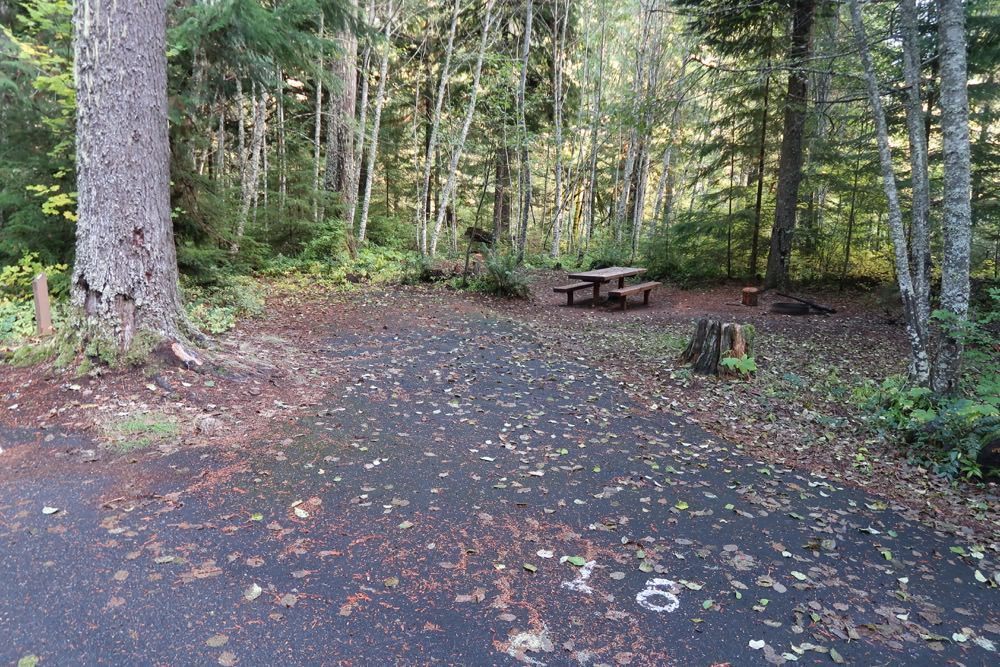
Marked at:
<point>421,514</point>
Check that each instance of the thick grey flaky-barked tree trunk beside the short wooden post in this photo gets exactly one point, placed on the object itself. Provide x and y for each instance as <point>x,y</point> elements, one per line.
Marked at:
<point>125,275</point>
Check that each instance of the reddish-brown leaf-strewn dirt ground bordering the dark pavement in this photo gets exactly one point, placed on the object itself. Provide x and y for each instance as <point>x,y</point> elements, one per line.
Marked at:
<point>797,412</point>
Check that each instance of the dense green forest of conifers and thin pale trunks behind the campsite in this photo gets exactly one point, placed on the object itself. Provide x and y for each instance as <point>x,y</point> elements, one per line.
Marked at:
<point>341,140</point>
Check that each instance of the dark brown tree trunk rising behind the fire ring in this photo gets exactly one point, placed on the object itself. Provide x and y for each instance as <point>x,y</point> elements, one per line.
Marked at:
<point>790,162</point>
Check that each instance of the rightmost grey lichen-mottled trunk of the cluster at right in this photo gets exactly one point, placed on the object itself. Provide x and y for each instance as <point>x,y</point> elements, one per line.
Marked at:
<point>957,213</point>
